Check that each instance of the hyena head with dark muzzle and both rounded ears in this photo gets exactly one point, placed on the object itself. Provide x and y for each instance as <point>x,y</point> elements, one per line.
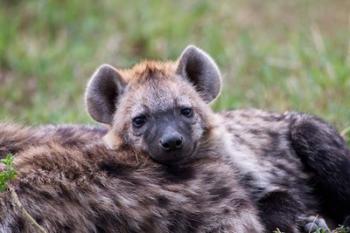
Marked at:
<point>160,108</point>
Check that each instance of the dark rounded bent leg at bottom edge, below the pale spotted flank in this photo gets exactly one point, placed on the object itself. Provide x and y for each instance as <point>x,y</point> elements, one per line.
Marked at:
<point>279,210</point>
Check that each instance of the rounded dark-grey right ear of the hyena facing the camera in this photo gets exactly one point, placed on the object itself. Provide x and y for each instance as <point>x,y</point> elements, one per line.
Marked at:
<point>201,70</point>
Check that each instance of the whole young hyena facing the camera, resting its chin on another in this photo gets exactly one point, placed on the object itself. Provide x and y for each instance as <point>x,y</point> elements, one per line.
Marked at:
<point>161,109</point>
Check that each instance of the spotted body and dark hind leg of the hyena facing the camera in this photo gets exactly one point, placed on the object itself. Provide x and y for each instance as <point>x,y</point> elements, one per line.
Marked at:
<point>291,162</point>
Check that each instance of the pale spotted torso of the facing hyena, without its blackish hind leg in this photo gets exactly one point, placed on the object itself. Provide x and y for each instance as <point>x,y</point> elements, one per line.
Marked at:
<point>270,169</point>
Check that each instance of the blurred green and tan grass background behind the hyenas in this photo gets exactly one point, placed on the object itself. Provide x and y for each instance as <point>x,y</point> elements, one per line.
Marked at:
<point>275,55</point>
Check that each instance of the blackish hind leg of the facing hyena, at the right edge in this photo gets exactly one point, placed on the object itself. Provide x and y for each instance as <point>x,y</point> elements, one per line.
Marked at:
<point>325,153</point>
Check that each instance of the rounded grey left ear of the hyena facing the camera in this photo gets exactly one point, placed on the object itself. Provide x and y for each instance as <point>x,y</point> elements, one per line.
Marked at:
<point>103,90</point>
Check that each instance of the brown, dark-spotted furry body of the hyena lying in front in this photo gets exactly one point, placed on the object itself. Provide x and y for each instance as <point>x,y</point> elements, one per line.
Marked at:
<point>93,189</point>
